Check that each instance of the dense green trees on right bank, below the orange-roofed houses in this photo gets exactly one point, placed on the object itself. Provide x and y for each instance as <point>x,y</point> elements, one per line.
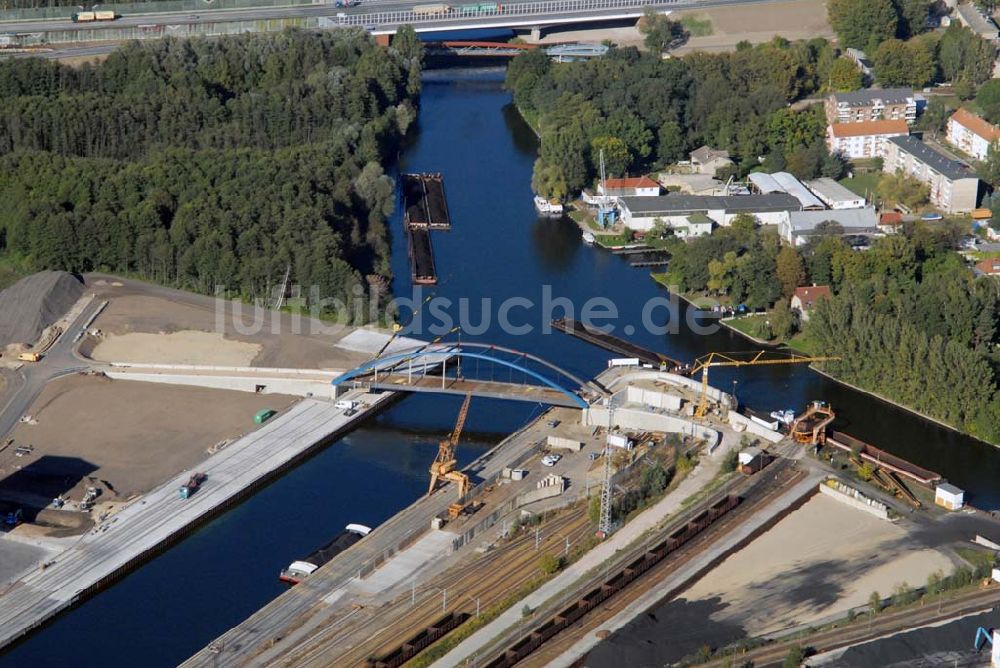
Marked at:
<point>907,318</point>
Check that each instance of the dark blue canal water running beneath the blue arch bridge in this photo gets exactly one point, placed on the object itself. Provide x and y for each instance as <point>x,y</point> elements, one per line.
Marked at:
<point>498,249</point>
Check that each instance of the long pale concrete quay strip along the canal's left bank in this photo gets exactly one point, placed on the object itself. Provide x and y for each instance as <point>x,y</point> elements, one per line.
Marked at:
<point>154,520</point>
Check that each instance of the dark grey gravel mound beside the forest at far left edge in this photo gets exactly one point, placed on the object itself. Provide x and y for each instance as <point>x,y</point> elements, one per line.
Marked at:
<point>34,303</point>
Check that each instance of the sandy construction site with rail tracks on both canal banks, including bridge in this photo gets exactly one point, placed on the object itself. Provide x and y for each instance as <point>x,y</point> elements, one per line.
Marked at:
<point>641,500</point>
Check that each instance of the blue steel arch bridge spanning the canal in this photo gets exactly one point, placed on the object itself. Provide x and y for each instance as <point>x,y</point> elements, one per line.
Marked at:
<point>479,369</point>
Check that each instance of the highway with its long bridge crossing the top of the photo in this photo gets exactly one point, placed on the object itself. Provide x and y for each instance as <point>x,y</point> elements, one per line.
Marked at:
<point>53,26</point>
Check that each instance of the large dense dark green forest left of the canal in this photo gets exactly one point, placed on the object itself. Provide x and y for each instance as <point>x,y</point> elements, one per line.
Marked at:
<point>201,163</point>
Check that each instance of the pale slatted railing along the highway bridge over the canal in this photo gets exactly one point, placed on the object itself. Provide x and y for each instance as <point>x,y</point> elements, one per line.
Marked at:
<point>504,10</point>
